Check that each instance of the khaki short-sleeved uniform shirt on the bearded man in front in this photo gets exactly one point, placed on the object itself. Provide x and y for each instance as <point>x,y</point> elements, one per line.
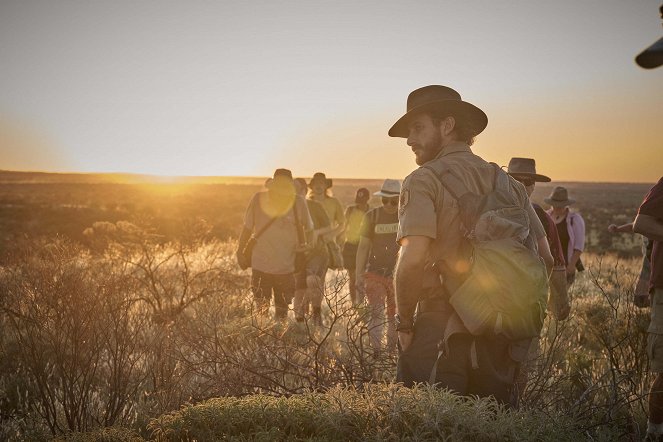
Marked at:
<point>427,209</point>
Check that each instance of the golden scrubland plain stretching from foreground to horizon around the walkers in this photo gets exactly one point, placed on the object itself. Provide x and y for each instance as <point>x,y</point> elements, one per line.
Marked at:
<point>123,316</point>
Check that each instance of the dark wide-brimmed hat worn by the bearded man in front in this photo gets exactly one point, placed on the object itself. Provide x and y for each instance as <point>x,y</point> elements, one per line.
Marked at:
<point>439,99</point>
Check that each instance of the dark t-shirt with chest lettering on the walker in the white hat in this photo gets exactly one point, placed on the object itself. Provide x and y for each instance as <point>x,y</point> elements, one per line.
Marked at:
<point>381,228</point>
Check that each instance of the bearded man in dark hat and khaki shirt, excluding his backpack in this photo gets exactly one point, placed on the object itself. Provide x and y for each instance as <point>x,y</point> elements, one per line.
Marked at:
<point>440,127</point>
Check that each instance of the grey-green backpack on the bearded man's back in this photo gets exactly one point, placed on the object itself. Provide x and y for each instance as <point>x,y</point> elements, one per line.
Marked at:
<point>505,290</point>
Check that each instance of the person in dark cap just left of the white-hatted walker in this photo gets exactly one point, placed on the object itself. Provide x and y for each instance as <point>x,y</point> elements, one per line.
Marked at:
<point>354,214</point>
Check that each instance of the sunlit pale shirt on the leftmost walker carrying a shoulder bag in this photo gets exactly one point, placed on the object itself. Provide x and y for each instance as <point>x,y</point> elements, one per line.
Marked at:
<point>274,251</point>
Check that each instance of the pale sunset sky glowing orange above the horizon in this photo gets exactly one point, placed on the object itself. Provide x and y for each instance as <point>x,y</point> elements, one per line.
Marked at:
<point>242,87</point>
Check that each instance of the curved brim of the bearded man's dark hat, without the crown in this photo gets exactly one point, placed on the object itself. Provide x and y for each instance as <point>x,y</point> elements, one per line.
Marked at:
<point>472,115</point>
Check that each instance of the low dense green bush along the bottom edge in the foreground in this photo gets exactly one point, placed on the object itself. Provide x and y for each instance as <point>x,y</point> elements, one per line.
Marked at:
<point>376,412</point>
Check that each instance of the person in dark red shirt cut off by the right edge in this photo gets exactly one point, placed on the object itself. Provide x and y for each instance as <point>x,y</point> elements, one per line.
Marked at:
<point>649,222</point>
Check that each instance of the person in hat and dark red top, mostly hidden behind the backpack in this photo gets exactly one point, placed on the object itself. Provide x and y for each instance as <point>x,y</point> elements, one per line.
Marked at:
<point>523,170</point>
